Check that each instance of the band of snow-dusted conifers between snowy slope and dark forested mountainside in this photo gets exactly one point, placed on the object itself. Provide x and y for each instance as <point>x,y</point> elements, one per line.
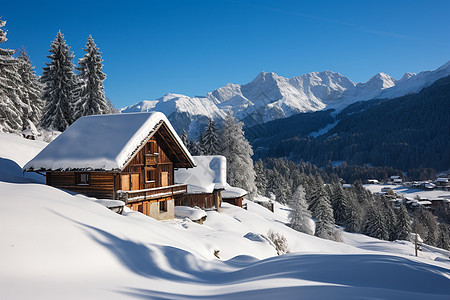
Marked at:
<point>355,208</point>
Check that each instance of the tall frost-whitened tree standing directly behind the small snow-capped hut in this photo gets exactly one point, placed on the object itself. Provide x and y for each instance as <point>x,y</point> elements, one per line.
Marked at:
<point>237,150</point>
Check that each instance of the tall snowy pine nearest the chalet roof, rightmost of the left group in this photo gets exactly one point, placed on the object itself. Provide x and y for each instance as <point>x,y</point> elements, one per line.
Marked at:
<point>92,99</point>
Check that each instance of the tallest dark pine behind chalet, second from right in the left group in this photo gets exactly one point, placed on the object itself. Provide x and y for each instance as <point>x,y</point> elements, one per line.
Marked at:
<point>60,86</point>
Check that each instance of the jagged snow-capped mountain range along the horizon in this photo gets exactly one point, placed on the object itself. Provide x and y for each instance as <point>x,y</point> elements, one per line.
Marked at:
<point>270,96</point>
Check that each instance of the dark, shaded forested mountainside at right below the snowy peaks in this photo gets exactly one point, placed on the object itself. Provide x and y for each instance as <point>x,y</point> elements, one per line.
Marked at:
<point>405,133</point>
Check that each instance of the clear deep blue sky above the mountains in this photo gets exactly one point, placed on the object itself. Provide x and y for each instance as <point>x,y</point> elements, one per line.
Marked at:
<point>151,48</point>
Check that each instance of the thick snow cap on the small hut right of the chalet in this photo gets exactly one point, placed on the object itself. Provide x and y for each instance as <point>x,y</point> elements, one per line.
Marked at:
<point>209,174</point>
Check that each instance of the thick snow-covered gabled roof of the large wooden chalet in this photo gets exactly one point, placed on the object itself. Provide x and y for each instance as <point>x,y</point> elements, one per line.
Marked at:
<point>105,142</point>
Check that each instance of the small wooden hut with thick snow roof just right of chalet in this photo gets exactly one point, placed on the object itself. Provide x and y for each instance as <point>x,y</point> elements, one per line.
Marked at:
<point>204,182</point>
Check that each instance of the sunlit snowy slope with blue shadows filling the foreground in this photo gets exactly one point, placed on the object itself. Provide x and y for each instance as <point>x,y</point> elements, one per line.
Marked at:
<point>56,245</point>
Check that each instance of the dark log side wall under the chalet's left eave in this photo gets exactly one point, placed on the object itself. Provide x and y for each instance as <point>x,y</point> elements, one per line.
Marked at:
<point>101,184</point>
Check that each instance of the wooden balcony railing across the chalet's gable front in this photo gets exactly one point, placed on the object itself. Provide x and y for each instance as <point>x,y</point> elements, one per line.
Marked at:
<point>151,194</point>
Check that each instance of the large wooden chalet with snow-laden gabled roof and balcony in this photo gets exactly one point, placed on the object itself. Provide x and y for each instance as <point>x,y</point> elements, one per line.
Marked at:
<point>129,157</point>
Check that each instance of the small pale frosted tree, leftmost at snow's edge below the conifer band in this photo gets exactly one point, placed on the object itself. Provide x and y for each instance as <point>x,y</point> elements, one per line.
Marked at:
<point>300,215</point>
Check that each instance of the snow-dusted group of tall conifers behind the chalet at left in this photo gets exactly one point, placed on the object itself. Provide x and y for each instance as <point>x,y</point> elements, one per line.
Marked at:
<point>57,98</point>
